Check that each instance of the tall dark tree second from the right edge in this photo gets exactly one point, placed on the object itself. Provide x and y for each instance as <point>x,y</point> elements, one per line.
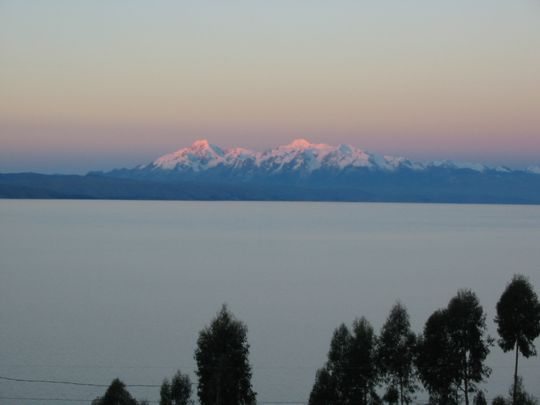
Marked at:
<point>467,325</point>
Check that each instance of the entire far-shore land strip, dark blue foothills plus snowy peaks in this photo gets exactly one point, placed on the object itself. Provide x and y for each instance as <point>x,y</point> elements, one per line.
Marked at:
<point>299,171</point>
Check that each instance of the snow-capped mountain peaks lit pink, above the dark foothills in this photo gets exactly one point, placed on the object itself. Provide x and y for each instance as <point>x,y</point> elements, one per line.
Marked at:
<point>299,156</point>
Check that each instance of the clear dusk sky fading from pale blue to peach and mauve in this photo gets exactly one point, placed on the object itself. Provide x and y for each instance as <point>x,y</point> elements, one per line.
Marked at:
<point>88,85</point>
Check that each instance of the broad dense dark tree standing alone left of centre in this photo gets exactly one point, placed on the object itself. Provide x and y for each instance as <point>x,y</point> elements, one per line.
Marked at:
<point>223,368</point>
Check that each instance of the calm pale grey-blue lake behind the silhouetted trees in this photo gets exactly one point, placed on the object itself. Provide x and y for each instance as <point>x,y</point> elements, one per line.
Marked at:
<point>93,290</point>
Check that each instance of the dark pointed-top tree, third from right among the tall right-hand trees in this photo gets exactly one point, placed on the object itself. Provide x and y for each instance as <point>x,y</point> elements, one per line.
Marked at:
<point>396,352</point>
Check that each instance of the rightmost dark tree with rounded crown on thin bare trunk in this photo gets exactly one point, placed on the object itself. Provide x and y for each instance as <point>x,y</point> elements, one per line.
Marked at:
<point>518,321</point>
